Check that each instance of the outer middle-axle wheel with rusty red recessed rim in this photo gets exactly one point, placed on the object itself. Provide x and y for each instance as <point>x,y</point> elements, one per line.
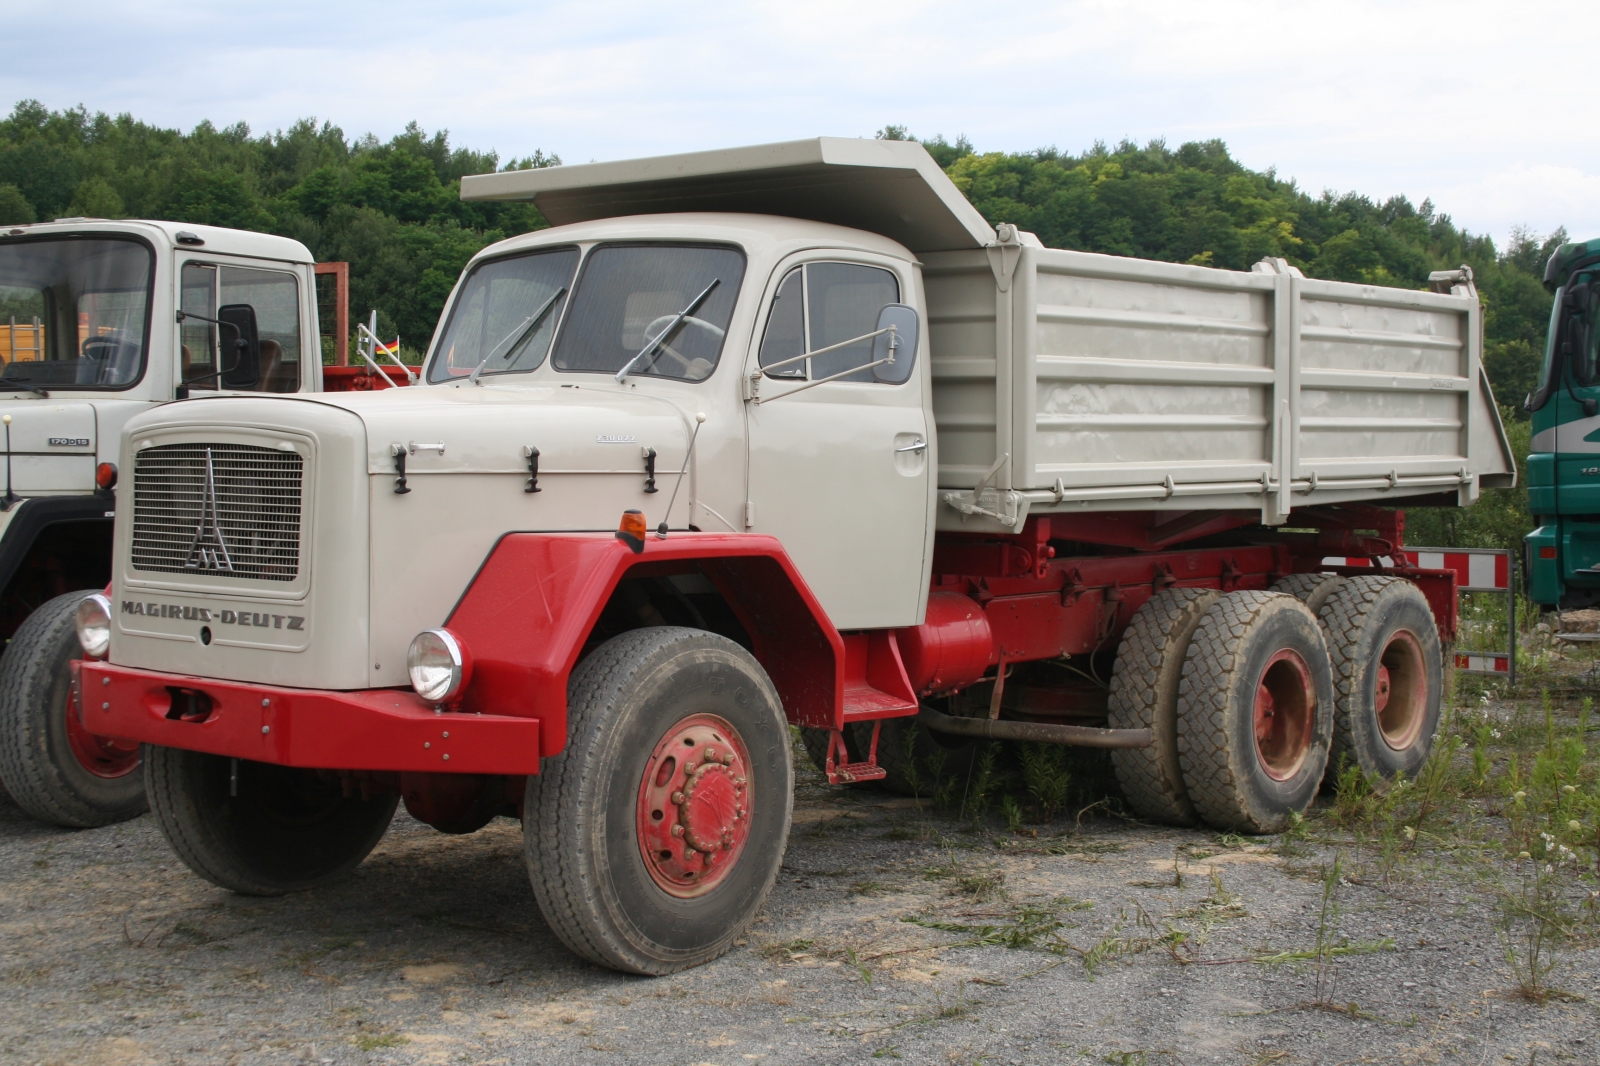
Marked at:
<point>1234,782</point>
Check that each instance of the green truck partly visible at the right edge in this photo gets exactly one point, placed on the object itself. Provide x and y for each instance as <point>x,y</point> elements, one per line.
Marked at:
<point>1564,459</point>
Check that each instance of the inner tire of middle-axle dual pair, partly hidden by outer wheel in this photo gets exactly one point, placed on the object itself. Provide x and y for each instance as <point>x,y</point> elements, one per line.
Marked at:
<point>1145,695</point>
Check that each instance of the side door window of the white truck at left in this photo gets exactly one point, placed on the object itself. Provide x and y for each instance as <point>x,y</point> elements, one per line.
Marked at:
<point>265,303</point>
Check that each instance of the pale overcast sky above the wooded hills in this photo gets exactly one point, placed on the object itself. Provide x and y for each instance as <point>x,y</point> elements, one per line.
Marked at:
<point>1471,105</point>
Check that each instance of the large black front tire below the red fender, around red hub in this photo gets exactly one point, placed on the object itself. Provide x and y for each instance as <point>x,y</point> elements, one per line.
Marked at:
<point>582,827</point>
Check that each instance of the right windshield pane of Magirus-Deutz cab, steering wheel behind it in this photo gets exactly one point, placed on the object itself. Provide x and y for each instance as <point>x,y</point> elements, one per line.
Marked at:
<point>630,294</point>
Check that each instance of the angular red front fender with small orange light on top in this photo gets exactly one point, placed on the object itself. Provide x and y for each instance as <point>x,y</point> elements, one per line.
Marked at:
<point>538,596</point>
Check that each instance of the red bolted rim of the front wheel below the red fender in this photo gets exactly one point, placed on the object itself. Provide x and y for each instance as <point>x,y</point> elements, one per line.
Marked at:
<point>694,806</point>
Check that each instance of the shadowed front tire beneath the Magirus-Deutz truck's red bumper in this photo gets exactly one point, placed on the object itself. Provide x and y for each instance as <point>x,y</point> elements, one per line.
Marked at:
<point>286,830</point>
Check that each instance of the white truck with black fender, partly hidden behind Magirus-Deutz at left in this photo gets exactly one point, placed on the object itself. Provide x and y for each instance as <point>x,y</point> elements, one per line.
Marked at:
<point>102,321</point>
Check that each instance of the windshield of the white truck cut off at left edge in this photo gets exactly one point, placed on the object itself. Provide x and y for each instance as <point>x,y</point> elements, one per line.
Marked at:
<point>74,315</point>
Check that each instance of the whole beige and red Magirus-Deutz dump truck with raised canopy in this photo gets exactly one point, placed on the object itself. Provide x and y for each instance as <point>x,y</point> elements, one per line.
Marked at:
<point>785,436</point>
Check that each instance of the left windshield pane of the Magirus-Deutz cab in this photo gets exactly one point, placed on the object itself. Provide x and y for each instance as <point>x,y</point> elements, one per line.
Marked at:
<point>492,324</point>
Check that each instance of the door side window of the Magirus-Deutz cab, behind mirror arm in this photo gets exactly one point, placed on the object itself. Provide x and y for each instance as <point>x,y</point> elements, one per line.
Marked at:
<point>822,305</point>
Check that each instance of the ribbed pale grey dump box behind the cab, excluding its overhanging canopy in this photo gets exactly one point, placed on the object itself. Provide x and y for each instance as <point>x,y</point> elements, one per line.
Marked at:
<point>1100,382</point>
